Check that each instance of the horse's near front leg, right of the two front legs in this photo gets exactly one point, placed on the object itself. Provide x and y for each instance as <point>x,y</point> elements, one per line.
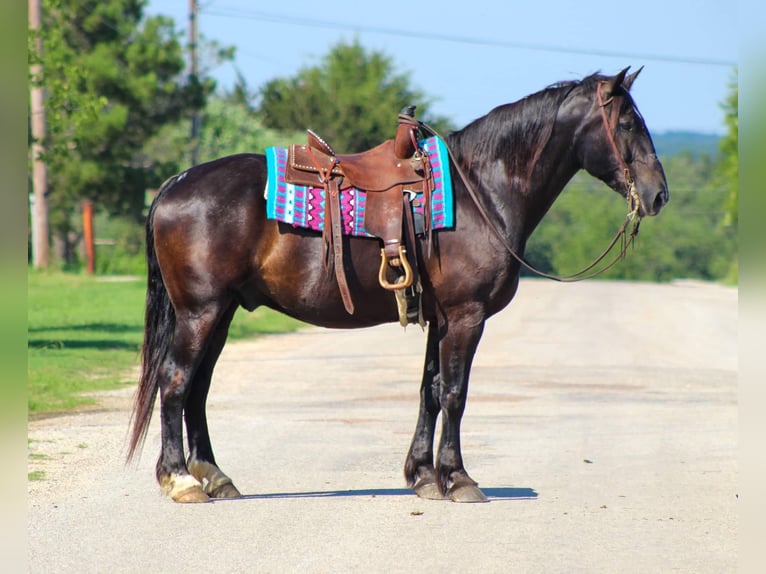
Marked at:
<point>460,337</point>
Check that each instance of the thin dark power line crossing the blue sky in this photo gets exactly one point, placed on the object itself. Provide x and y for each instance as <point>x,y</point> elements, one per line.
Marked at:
<point>225,12</point>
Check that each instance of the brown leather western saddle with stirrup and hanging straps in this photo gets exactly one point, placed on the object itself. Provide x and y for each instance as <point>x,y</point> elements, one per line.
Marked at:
<point>392,174</point>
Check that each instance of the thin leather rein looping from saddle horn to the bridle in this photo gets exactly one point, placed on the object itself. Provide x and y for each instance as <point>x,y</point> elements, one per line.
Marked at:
<point>633,199</point>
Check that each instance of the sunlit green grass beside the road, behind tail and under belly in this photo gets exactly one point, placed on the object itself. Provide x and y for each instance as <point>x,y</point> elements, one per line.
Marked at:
<point>84,335</point>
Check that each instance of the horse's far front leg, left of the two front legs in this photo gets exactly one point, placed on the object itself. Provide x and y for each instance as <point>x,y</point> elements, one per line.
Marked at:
<point>419,466</point>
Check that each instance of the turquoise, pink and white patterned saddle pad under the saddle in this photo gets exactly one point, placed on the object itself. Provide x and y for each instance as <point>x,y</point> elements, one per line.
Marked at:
<point>303,206</point>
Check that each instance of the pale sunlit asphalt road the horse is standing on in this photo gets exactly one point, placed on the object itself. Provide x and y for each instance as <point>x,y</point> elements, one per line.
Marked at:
<point>601,422</point>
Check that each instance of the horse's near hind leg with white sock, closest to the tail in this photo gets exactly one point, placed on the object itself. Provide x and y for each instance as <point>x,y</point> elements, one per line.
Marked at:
<point>190,341</point>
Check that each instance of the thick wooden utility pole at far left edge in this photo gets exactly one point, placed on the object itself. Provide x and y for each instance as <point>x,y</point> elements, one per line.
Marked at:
<point>39,199</point>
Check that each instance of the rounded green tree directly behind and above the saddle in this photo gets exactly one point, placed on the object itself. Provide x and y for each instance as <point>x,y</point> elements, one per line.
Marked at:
<point>351,99</point>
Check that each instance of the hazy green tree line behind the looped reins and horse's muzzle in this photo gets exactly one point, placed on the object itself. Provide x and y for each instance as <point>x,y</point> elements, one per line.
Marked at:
<point>685,241</point>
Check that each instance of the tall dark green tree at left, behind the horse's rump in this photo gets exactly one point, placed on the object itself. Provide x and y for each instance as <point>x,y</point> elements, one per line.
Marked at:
<point>113,79</point>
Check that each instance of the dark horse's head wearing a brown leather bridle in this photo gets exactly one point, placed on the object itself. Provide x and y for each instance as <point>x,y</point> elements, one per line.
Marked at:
<point>614,144</point>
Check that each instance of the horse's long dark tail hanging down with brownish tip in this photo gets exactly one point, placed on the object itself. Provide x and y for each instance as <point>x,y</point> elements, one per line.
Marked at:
<point>159,325</point>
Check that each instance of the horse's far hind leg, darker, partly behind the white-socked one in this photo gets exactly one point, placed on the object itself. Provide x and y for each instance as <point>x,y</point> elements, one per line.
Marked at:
<point>201,461</point>
